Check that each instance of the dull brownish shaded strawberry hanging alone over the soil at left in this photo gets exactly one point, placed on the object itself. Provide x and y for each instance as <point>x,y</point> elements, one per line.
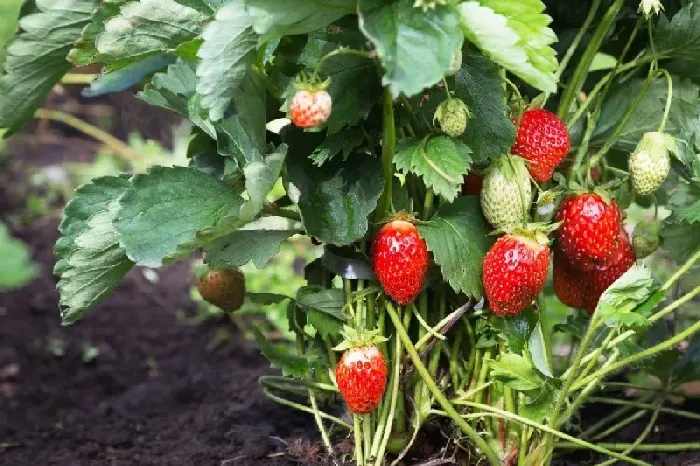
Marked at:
<point>224,288</point>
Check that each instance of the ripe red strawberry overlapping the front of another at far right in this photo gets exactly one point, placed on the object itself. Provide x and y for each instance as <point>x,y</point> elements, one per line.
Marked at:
<point>590,230</point>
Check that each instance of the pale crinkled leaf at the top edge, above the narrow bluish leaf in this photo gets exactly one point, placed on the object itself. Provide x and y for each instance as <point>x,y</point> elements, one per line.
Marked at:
<point>145,27</point>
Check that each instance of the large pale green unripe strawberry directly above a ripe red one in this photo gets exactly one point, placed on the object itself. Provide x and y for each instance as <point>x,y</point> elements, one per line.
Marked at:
<point>506,186</point>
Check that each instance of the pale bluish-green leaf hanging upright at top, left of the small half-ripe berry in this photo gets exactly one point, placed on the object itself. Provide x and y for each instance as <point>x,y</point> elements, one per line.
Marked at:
<point>227,53</point>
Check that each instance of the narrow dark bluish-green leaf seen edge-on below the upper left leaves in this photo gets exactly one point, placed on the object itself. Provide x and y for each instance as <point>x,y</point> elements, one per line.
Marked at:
<point>124,78</point>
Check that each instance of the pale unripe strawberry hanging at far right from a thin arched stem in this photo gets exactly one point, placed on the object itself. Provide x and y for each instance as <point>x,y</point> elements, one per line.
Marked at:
<point>650,163</point>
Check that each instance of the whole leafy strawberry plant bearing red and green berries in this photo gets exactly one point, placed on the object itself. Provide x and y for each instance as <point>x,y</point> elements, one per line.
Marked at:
<point>438,151</point>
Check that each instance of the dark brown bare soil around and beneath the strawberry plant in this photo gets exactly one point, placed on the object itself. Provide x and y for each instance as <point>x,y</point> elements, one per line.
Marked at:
<point>157,393</point>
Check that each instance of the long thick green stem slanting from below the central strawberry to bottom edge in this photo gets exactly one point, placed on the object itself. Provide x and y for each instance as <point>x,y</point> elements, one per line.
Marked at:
<point>435,390</point>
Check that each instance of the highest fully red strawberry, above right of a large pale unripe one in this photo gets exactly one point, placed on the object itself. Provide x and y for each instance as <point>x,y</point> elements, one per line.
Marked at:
<point>543,141</point>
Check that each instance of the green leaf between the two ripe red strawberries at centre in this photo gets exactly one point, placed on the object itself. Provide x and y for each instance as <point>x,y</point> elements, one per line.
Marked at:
<point>458,237</point>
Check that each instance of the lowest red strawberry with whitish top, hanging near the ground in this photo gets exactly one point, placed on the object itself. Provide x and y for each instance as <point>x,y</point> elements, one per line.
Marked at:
<point>361,378</point>
